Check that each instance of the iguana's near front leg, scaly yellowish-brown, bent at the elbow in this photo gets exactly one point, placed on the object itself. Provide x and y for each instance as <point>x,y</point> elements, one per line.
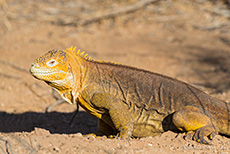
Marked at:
<point>120,117</point>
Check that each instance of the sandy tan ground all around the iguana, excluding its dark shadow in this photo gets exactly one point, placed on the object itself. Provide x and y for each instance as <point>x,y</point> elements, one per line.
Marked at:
<point>189,41</point>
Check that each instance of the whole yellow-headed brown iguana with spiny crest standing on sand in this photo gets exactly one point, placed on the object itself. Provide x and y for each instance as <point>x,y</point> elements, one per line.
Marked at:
<point>131,101</point>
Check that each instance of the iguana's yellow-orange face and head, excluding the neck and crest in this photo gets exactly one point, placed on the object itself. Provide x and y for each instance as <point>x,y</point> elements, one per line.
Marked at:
<point>52,67</point>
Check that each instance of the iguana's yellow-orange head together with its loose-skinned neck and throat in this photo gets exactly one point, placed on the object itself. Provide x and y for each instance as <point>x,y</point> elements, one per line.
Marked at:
<point>61,70</point>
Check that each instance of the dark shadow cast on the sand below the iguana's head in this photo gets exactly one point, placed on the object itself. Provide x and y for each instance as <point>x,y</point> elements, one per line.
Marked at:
<point>55,122</point>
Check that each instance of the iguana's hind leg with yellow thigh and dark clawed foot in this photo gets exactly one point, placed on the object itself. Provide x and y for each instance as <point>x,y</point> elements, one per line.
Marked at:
<point>193,121</point>
